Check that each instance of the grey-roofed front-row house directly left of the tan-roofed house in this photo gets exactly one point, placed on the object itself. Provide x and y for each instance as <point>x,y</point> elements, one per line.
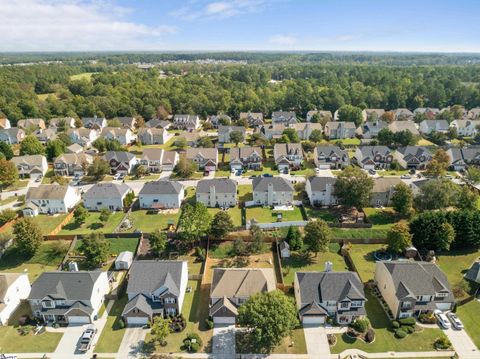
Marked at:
<point>155,288</point>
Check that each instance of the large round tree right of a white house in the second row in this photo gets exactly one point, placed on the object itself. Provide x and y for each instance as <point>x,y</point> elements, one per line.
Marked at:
<point>353,187</point>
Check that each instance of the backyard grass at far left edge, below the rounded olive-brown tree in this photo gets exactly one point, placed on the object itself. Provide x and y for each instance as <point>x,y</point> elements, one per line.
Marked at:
<point>48,258</point>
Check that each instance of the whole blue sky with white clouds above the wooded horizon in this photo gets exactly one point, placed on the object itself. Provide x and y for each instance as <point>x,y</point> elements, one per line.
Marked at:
<point>240,25</point>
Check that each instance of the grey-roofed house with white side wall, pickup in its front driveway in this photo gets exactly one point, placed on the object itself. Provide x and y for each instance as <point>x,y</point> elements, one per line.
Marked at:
<point>68,297</point>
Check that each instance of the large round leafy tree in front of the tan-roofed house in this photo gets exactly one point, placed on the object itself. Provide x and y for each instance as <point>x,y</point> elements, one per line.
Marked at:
<point>266,324</point>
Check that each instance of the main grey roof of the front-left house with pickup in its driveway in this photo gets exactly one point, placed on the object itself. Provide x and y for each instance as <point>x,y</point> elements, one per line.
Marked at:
<point>64,285</point>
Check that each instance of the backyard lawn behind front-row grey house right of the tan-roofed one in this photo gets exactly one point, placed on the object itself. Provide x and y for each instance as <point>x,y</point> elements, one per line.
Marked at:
<point>309,262</point>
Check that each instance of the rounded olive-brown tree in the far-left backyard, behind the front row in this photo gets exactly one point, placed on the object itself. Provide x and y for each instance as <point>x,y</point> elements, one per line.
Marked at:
<point>28,236</point>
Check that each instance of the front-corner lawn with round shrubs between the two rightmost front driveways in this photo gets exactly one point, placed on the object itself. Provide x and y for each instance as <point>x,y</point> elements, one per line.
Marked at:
<point>385,340</point>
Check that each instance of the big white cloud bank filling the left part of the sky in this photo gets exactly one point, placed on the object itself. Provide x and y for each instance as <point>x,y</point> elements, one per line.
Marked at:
<point>71,25</point>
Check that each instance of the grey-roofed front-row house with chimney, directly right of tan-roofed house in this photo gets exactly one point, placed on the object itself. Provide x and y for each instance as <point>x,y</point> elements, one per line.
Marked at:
<point>329,294</point>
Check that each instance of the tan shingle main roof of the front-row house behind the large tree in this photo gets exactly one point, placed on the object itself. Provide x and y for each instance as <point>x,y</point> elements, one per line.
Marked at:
<point>241,282</point>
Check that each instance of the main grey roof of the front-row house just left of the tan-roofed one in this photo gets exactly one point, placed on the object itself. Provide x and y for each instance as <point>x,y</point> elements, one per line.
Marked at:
<point>147,276</point>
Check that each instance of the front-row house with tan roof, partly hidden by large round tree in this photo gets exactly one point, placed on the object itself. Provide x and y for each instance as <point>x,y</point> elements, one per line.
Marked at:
<point>231,287</point>
